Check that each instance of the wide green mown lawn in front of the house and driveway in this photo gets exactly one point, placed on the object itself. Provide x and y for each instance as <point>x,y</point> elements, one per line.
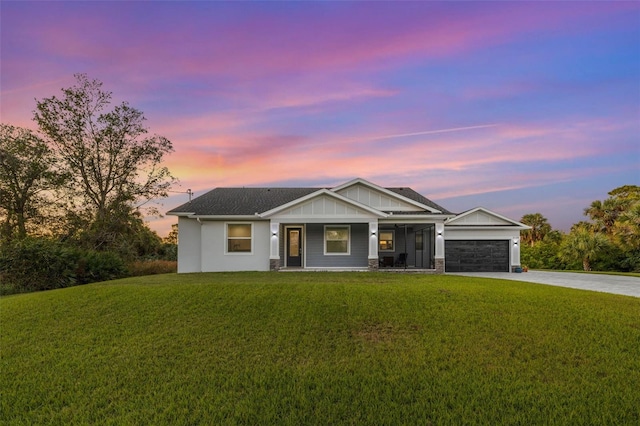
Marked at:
<point>319,348</point>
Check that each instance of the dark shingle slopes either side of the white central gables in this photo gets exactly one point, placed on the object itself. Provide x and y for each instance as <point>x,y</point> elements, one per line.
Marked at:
<point>248,201</point>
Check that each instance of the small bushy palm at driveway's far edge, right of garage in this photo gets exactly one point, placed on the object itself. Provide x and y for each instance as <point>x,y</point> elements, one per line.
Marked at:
<point>584,245</point>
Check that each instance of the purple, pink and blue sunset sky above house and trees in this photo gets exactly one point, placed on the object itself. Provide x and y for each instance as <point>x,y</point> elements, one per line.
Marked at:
<point>518,107</point>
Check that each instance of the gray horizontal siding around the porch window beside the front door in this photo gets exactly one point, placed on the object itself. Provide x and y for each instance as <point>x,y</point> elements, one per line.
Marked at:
<point>359,248</point>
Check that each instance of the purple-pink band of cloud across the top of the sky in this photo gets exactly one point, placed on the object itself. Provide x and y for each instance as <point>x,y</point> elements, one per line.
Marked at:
<point>259,43</point>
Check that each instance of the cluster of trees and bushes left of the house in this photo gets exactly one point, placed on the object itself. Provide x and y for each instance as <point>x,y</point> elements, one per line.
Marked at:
<point>78,189</point>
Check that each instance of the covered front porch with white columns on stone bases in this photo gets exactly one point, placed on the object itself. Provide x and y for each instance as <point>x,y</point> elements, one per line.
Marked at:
<point>372,245</point>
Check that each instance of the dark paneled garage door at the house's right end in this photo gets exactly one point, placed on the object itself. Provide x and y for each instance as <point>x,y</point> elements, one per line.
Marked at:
<point>476,255</point>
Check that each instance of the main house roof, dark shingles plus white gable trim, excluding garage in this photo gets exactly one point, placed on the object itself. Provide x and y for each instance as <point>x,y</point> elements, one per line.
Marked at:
<point>249,201</point>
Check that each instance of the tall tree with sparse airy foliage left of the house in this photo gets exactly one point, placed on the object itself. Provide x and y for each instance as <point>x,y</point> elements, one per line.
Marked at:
<point>113,163</point>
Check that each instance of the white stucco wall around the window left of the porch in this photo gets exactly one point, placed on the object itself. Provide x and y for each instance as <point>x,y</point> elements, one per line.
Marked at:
<point>213,254</point>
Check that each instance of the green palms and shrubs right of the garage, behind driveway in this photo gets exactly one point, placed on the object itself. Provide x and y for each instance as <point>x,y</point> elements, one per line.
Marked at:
<point>608,241</point>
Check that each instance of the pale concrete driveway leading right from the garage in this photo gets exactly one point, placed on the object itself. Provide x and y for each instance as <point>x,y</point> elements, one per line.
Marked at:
<point>616,284</point>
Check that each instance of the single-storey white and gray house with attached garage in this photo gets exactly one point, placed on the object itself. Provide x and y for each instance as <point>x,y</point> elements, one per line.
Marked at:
<point>354,226</point>
